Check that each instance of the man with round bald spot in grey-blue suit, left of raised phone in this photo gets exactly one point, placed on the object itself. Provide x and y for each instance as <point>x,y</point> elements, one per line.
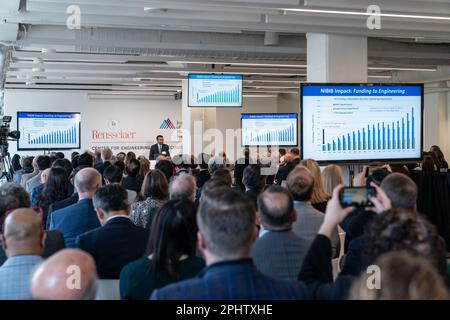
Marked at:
<point>278,252</point>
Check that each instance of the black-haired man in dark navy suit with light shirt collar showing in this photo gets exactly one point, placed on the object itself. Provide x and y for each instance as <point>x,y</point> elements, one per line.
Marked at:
<point>119,241</point>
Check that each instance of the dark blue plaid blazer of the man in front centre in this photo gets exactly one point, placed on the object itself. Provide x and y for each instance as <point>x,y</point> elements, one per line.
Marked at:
<point>232,280</point>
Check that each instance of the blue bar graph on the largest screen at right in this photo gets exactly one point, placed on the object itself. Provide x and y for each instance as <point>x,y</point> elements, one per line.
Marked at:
<point>379,136</point>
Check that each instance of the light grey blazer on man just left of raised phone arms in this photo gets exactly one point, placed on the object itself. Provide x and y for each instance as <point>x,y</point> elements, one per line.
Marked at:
<point>308,224</point>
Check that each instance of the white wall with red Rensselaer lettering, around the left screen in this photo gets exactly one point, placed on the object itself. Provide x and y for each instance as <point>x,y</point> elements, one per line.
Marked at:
<point>142,117</point>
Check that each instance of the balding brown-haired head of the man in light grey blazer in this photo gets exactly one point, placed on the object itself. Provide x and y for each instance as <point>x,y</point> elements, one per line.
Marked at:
<point>300,183</point>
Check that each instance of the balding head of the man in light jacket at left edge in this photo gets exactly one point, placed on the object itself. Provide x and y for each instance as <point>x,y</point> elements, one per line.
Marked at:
<point>23,233</point>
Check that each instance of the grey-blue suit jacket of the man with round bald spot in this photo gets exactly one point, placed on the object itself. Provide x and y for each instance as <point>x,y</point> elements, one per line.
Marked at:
<point>279,254</point>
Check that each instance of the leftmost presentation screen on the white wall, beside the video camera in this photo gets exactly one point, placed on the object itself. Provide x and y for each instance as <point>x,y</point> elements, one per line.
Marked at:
<point>48,131</point>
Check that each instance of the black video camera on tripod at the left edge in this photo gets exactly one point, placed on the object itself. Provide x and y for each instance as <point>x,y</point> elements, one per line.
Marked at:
<point>6,135</point>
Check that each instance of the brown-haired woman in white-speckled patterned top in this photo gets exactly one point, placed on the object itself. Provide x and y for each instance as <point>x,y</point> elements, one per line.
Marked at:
<point>154,193</point>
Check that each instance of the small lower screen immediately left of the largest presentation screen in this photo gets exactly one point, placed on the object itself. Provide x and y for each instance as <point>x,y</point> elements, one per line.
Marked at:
<point>264,129</point>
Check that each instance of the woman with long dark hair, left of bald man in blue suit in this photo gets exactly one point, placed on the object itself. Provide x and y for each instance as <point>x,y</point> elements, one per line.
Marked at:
<point>56,188</point>
